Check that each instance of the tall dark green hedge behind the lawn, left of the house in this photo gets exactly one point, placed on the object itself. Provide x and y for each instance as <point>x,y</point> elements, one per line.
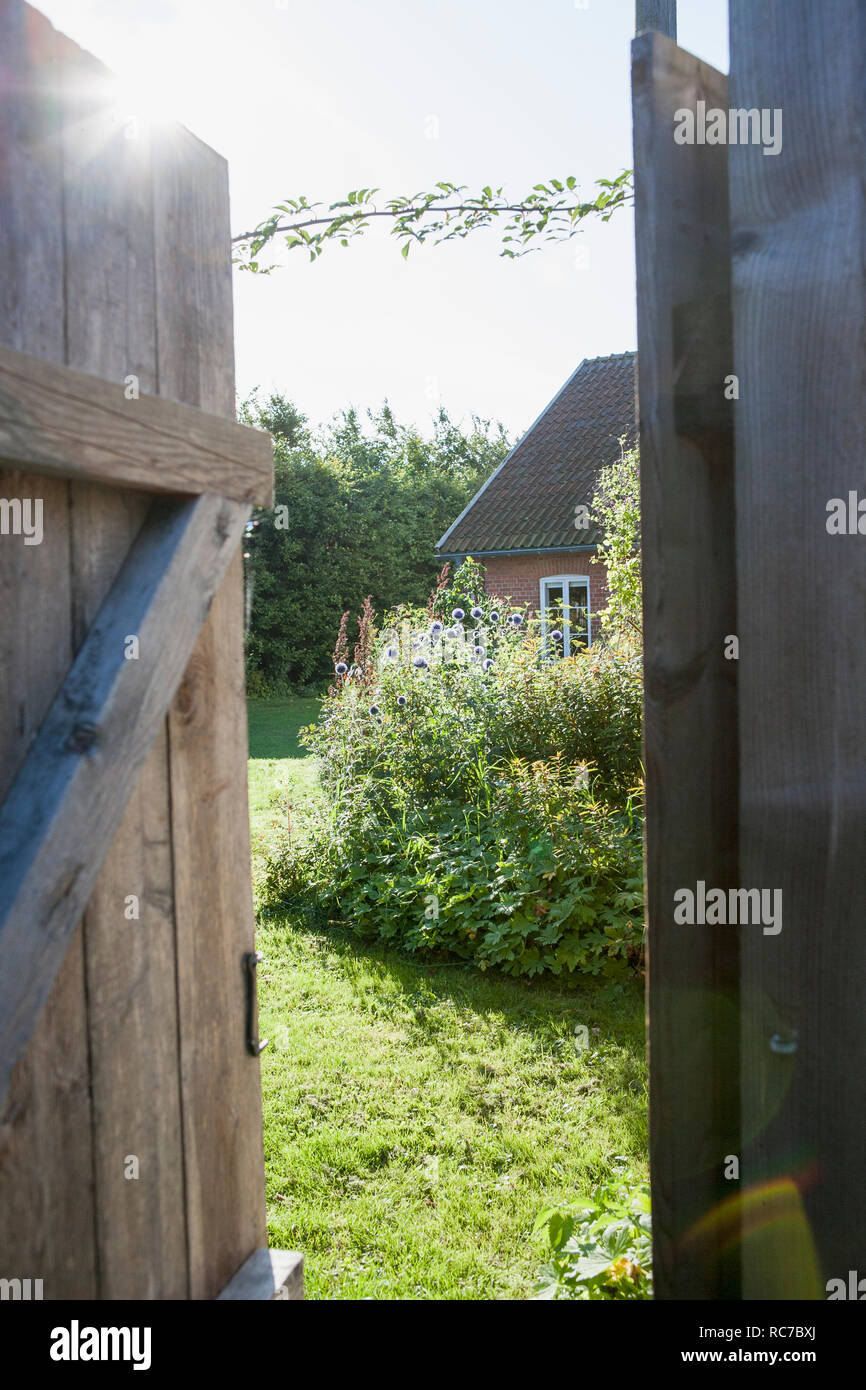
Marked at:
<point>359,505</point>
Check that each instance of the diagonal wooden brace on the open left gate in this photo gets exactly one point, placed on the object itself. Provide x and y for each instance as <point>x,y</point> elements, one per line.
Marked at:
<point>59,818</point>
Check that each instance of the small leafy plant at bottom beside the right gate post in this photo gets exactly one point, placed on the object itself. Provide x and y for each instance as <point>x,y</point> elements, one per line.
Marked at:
<point>600,1248</point>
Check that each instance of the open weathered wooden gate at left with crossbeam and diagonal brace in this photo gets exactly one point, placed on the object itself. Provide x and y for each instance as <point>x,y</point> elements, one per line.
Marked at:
<point>131,1160</point>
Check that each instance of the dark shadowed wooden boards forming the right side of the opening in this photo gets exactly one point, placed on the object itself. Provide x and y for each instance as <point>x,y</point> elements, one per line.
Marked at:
<point>751,340</point>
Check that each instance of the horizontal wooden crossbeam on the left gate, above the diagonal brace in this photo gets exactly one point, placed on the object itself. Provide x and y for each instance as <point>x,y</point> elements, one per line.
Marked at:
<point>62,422</point>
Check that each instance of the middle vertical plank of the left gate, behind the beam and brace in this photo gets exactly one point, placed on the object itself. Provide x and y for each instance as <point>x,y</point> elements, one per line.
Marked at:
<point>131,1024</point>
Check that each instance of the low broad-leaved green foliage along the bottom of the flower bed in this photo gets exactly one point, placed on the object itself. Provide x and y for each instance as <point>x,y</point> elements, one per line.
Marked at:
<point>523,885</point>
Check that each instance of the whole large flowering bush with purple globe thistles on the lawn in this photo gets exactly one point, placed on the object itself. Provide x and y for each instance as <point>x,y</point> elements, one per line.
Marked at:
<point>482,799</point>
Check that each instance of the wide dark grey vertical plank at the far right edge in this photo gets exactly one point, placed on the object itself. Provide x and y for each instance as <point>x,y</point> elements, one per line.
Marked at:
<point>800,338</point>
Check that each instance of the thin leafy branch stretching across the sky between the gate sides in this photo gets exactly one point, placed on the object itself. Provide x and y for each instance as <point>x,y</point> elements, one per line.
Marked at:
<point>550,213</point>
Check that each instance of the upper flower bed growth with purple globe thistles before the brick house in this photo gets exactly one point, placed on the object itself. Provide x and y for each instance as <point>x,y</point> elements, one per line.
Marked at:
<point>459,718</point>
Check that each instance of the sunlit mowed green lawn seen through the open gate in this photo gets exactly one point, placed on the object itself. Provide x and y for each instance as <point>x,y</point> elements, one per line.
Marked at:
<point>419,1115</point>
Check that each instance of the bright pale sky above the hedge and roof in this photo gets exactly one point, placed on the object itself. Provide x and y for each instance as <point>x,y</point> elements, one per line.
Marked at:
<point>323,98</point>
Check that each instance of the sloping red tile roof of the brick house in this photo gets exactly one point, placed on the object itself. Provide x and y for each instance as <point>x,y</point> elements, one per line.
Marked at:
<point>529,502</point>
